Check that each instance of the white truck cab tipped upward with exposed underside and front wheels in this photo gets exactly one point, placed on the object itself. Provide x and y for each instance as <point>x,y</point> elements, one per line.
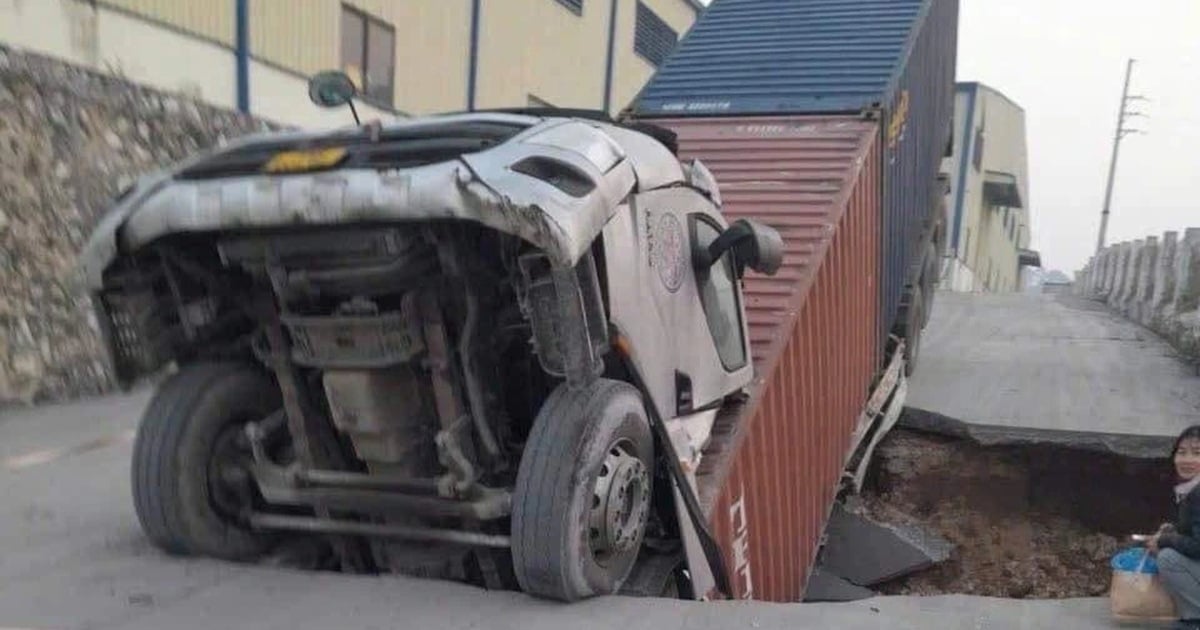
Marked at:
<point>465,346</point>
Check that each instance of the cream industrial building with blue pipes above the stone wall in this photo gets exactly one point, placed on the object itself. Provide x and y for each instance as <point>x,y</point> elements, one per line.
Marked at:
<point>410,57</point>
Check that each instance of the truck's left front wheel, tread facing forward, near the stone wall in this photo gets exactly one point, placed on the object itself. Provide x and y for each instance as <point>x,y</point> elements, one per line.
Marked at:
<point>190,471</point>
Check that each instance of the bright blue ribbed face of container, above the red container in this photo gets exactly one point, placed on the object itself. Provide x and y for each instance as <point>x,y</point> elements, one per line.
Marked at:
<point>787,57</point>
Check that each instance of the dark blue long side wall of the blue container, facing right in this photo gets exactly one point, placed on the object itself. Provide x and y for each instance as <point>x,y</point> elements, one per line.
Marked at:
<point>916,133</point>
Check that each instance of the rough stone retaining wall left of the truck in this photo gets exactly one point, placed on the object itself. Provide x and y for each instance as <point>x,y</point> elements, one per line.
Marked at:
<point>70,140</point>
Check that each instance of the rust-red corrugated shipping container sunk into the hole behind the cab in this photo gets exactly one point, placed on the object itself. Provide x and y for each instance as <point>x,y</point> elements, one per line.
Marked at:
<point>770,476</point>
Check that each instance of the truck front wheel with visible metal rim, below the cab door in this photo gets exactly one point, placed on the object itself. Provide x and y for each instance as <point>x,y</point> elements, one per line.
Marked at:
<point>583,494</point>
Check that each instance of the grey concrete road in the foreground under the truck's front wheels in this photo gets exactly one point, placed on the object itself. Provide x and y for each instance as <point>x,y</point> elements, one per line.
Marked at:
<point>73,557</point>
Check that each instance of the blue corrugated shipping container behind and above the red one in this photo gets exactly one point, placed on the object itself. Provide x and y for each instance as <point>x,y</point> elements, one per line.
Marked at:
<point>889,61</point>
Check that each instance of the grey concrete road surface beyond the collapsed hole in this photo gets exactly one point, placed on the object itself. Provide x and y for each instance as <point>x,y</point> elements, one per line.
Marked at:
<point>1051,368</point>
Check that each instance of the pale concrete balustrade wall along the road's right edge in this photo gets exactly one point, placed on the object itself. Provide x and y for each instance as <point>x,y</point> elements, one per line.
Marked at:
<point>1155,281</point>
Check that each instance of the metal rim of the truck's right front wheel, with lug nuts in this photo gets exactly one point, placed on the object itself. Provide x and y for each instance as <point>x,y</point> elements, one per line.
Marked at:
<point>621,501</point>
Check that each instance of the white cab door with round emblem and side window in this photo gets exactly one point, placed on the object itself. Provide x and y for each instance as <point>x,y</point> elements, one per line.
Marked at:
<point>686,325</point>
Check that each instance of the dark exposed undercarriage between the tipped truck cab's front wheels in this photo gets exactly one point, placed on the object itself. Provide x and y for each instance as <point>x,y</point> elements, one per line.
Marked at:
<point>409,387</point>
